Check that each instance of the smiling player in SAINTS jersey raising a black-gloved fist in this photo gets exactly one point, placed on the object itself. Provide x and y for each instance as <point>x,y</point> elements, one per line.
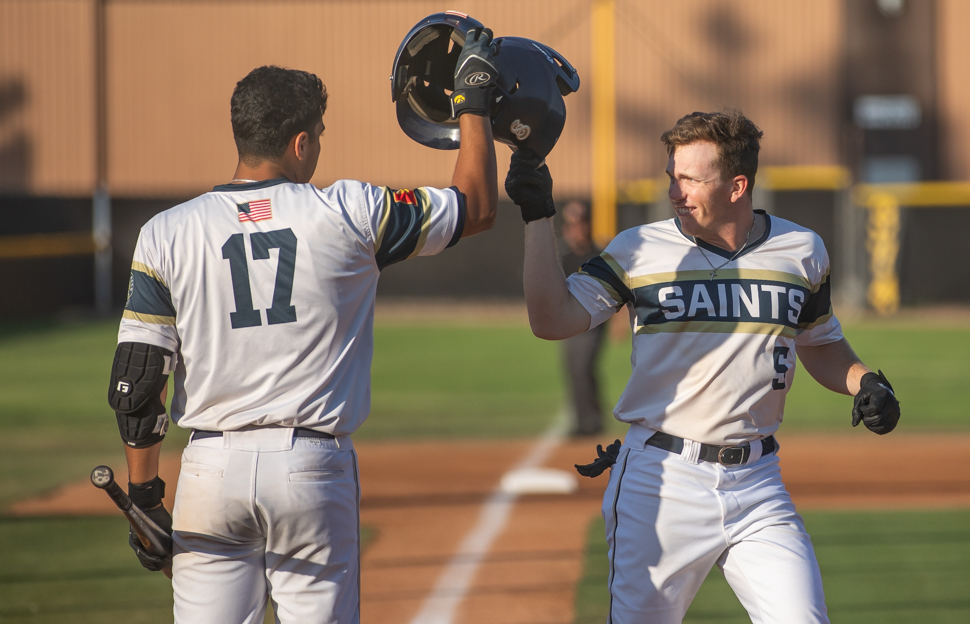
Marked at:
<point>723,301</point>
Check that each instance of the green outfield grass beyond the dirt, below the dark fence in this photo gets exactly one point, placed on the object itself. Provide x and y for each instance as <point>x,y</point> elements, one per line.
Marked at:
<point>451,381</point>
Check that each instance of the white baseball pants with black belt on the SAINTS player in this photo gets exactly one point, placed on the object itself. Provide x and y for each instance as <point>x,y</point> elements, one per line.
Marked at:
<point>669,520</point>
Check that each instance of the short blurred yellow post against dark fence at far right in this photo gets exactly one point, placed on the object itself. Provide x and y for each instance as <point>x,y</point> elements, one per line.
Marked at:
<point>883,246</point>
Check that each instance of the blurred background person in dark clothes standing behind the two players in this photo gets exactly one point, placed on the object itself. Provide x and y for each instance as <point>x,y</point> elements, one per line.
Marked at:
<point>579,353</point>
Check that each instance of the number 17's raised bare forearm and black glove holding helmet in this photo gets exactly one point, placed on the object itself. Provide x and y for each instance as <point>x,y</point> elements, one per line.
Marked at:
<point>475,172</point>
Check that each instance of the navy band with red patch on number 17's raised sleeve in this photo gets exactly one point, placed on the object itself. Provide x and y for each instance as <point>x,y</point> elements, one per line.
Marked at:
<point>404,223</point>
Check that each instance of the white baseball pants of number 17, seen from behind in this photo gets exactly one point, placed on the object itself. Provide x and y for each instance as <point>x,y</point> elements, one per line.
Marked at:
<point>264,514</point>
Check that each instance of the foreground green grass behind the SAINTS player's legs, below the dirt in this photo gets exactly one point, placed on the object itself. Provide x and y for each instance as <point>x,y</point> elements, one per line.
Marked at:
<point>877,568</point>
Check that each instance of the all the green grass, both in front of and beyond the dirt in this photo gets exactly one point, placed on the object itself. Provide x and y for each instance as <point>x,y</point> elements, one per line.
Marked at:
<point>452,381</point>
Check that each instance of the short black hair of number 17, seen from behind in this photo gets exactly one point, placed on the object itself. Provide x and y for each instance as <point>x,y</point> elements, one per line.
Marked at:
<point>270,106</point>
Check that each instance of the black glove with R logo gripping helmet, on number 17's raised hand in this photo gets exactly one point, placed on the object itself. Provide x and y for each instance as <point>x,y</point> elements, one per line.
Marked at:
<point>475,74</point>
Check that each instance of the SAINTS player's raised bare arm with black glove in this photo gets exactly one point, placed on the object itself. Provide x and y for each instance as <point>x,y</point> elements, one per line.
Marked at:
<point>554,313</point>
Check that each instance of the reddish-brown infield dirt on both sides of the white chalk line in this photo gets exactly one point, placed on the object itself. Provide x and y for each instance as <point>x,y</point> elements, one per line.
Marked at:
<point>423,497</point>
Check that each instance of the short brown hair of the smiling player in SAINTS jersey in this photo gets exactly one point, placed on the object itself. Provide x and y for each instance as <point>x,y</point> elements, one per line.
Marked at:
<point>737,139</point>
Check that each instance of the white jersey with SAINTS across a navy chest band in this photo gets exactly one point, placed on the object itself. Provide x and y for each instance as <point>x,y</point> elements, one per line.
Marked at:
<point>713,358</point>
